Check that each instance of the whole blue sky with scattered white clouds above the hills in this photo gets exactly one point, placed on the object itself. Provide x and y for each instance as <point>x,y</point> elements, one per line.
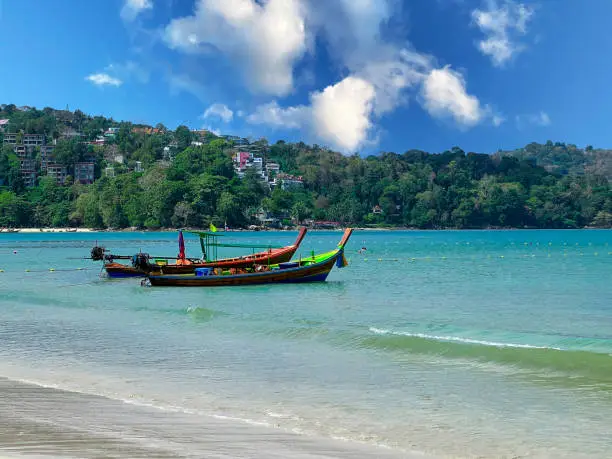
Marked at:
<point>354,75</point>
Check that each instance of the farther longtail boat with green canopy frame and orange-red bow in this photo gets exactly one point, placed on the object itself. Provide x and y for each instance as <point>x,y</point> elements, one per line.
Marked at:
<point>143,264</point>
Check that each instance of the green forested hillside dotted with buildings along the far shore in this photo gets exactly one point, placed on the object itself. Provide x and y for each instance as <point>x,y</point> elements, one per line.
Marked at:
<point>189,178</point>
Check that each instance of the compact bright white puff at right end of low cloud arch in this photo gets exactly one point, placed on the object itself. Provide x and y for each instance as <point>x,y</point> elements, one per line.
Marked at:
<point>444,95</point>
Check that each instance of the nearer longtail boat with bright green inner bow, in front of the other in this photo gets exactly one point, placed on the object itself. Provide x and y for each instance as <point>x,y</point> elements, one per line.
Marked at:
<point>311,269</point>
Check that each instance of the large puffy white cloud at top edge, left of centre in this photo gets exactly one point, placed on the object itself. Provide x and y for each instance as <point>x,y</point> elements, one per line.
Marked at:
<point>264,39</point>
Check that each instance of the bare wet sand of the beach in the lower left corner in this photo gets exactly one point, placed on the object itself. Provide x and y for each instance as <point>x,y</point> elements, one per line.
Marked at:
<point>37,421</point>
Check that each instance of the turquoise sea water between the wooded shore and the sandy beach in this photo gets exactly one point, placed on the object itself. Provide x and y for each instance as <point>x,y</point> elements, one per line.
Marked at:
<point>458,343</point>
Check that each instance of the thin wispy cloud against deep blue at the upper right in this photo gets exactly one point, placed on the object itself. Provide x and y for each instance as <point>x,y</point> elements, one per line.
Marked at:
<point>502,24</point>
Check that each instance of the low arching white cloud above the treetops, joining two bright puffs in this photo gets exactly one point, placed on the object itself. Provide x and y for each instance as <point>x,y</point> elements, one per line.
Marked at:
<point>343,115</point>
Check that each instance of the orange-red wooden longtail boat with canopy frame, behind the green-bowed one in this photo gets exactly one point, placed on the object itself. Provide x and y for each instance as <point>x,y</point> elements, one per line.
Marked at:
<point>141,264</point>
